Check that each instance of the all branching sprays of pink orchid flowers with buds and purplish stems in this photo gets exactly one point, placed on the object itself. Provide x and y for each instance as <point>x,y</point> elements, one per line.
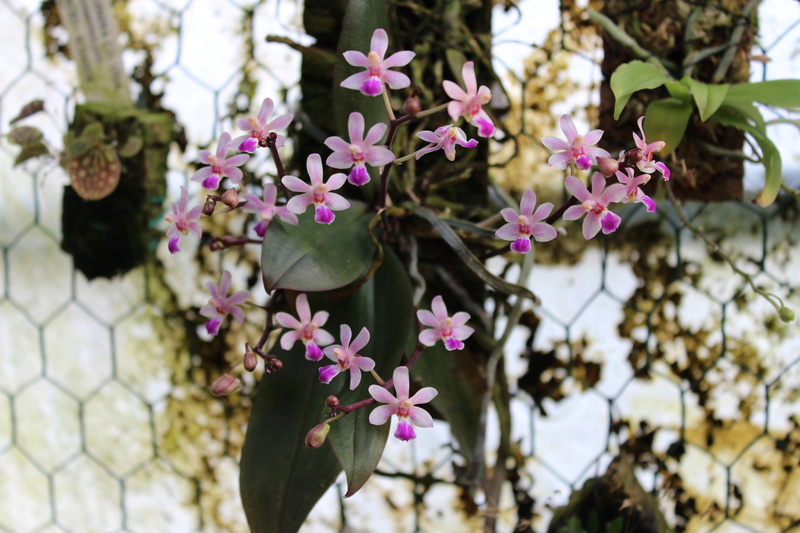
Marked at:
<point>615,181</point>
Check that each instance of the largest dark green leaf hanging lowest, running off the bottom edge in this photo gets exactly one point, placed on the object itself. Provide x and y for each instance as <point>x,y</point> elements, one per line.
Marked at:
<point>280,479</point>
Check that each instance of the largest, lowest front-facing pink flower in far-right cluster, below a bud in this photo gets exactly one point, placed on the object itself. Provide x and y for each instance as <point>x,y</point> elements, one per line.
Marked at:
<point>594,205</point>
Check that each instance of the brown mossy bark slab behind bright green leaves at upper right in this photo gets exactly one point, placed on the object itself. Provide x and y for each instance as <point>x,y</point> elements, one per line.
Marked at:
<point>680,33</point>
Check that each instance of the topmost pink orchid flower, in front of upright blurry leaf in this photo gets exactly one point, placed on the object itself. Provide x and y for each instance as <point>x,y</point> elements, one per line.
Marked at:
<point>370,82</point>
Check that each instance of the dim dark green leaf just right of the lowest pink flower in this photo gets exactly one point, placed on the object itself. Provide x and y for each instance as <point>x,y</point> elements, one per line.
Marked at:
<point>458,379</point>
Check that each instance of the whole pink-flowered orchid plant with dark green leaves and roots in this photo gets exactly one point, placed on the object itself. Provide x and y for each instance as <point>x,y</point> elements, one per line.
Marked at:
<point>346,253</point>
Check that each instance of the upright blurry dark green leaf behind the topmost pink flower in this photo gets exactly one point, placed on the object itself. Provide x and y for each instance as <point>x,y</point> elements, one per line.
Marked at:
<point>361,19</point>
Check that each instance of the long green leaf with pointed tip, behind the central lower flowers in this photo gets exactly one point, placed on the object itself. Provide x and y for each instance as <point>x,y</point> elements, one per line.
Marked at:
<point>384,306</point>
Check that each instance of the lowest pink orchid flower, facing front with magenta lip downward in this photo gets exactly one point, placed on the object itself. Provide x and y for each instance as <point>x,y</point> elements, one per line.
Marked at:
<point>404,407</point>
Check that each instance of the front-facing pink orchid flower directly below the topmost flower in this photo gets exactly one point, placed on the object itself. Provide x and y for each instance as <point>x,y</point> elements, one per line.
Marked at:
<point>359,150</point>
